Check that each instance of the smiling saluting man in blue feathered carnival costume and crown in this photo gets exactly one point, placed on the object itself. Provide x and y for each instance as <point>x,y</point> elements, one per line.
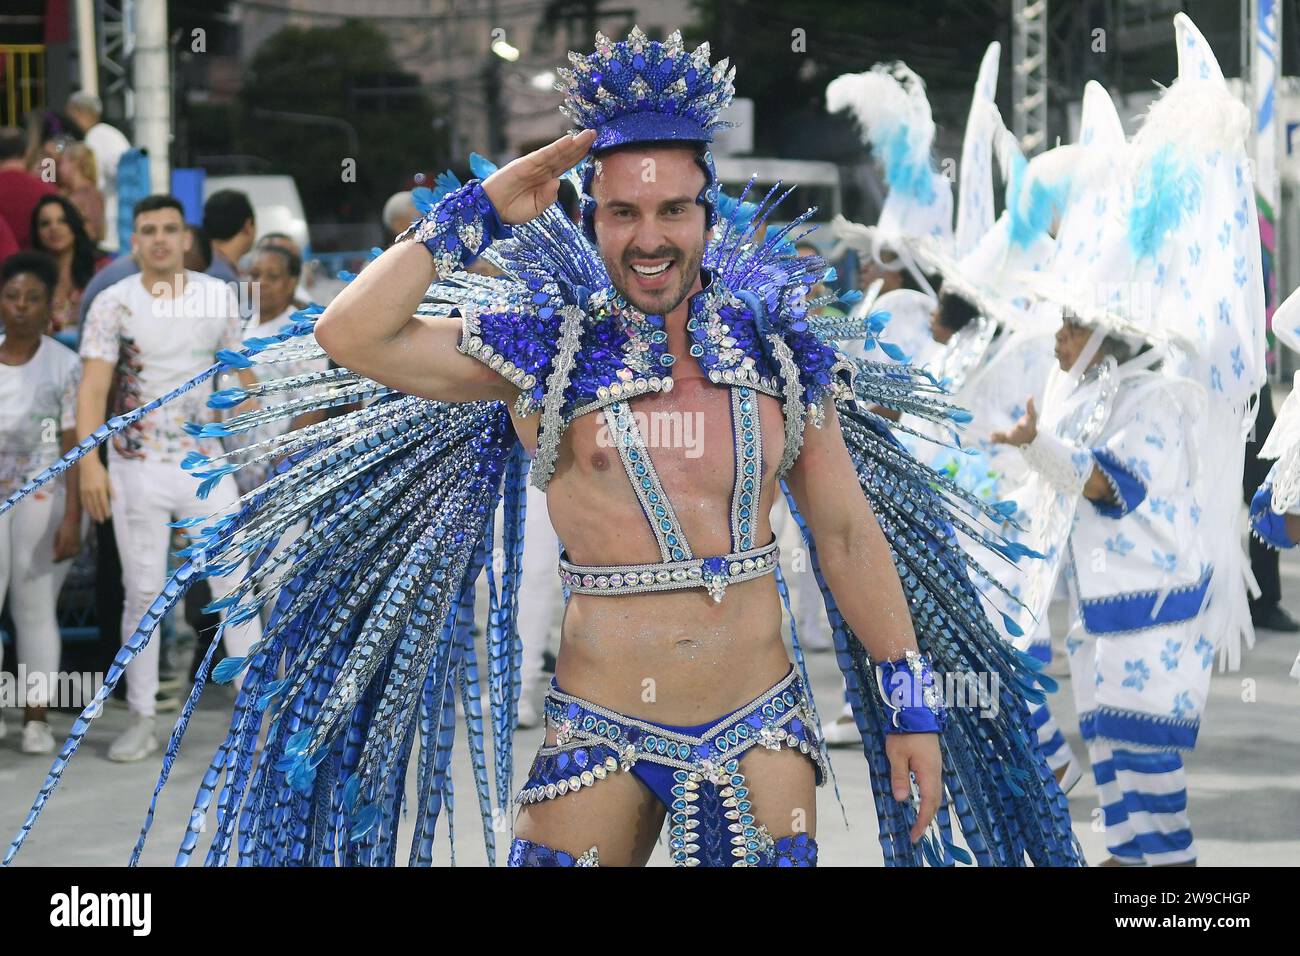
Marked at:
<point>674,694</point>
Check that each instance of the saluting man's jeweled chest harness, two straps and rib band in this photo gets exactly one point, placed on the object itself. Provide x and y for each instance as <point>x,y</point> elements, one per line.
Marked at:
<point>679,566</point>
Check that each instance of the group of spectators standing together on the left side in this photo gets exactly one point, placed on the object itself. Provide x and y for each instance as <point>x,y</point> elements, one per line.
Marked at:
<point>90,331</point>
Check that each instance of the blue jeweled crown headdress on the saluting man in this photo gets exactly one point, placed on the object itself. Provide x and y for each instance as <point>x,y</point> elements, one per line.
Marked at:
<point>642,92</point>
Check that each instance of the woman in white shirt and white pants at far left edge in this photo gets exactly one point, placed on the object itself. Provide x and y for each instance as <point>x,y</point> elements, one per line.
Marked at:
<point>42,534</point>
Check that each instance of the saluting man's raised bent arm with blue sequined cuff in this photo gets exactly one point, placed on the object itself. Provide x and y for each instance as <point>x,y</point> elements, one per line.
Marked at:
<point>372,327</point>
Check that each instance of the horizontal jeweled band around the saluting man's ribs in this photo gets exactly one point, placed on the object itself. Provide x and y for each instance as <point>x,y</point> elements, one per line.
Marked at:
<point>712,574</point>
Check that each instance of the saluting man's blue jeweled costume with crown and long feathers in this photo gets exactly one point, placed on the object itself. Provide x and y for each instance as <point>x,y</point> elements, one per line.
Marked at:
<point>375,600</point>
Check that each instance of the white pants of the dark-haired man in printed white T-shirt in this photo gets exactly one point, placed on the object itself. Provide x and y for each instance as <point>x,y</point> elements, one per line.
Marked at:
<point>146,498</point>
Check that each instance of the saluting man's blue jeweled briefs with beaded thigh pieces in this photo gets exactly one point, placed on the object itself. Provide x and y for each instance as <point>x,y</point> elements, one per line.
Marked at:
<point>695,772</point>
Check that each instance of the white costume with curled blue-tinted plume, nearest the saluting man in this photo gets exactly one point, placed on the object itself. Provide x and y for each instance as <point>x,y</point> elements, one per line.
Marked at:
<point>1000,358</point>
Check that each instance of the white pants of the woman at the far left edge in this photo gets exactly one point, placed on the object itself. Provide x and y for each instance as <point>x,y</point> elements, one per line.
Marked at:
<point>32,581</point>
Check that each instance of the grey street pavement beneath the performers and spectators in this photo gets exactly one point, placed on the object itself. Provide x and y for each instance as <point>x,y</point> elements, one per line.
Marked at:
<point>1243,778</point>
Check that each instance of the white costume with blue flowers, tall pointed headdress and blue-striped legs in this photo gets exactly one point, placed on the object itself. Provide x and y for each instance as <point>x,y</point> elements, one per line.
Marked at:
<point>1164,266</point>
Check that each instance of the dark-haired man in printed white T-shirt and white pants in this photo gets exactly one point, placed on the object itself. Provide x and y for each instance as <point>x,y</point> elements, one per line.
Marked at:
<point>142,339</point>
